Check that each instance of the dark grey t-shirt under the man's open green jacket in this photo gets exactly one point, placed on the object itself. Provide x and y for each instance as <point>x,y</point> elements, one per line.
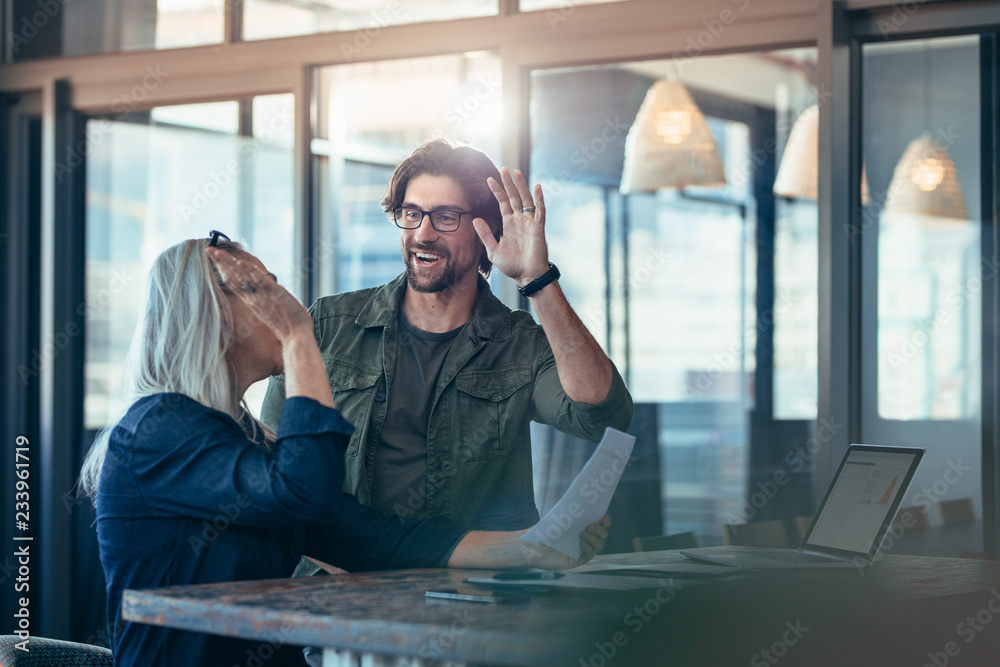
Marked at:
<point>399,483</point>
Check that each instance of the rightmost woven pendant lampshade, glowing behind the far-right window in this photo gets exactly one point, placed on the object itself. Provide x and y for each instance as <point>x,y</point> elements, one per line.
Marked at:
<point>925,183</point>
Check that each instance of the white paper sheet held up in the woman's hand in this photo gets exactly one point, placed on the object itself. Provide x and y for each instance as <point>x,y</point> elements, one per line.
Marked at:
<point>587,499</point>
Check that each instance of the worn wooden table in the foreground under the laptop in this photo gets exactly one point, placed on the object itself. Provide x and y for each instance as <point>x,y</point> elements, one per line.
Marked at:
<point>907,610</point>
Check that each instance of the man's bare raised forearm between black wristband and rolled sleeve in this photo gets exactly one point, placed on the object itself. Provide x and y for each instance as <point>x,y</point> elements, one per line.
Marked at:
<point>585,371</point>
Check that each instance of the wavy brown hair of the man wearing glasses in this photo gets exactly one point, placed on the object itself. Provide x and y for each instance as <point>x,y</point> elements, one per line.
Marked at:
<point>463,164</point>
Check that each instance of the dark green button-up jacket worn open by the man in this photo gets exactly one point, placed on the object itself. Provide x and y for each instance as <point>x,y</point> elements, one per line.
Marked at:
<point>499,375</point>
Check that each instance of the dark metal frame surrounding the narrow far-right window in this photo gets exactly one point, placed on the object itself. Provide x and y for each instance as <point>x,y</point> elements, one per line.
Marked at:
<point>841,36</point>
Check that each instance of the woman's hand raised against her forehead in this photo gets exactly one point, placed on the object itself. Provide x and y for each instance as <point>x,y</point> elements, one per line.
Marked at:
<point>273,305</point>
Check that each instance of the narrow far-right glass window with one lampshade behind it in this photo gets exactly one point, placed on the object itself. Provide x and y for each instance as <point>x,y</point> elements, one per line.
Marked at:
<point>923,273</point>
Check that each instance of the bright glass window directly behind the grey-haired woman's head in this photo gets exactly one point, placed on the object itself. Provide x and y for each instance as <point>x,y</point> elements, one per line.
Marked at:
<point>156,178</point>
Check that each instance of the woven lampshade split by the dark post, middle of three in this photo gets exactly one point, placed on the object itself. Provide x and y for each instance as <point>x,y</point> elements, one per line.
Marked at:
<point>798,174</point>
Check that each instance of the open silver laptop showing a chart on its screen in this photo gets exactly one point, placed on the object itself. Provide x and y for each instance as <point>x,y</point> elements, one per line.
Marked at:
<point>851,522</point>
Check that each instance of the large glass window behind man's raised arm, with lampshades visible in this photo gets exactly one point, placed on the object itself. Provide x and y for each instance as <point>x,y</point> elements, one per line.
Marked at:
<point>667,276</point>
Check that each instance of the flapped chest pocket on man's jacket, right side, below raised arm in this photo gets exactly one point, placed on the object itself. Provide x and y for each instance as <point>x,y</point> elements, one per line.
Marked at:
<point>491,406</point>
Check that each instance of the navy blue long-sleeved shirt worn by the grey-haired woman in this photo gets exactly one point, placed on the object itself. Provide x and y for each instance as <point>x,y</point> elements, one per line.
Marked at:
<point>185,497</point>
